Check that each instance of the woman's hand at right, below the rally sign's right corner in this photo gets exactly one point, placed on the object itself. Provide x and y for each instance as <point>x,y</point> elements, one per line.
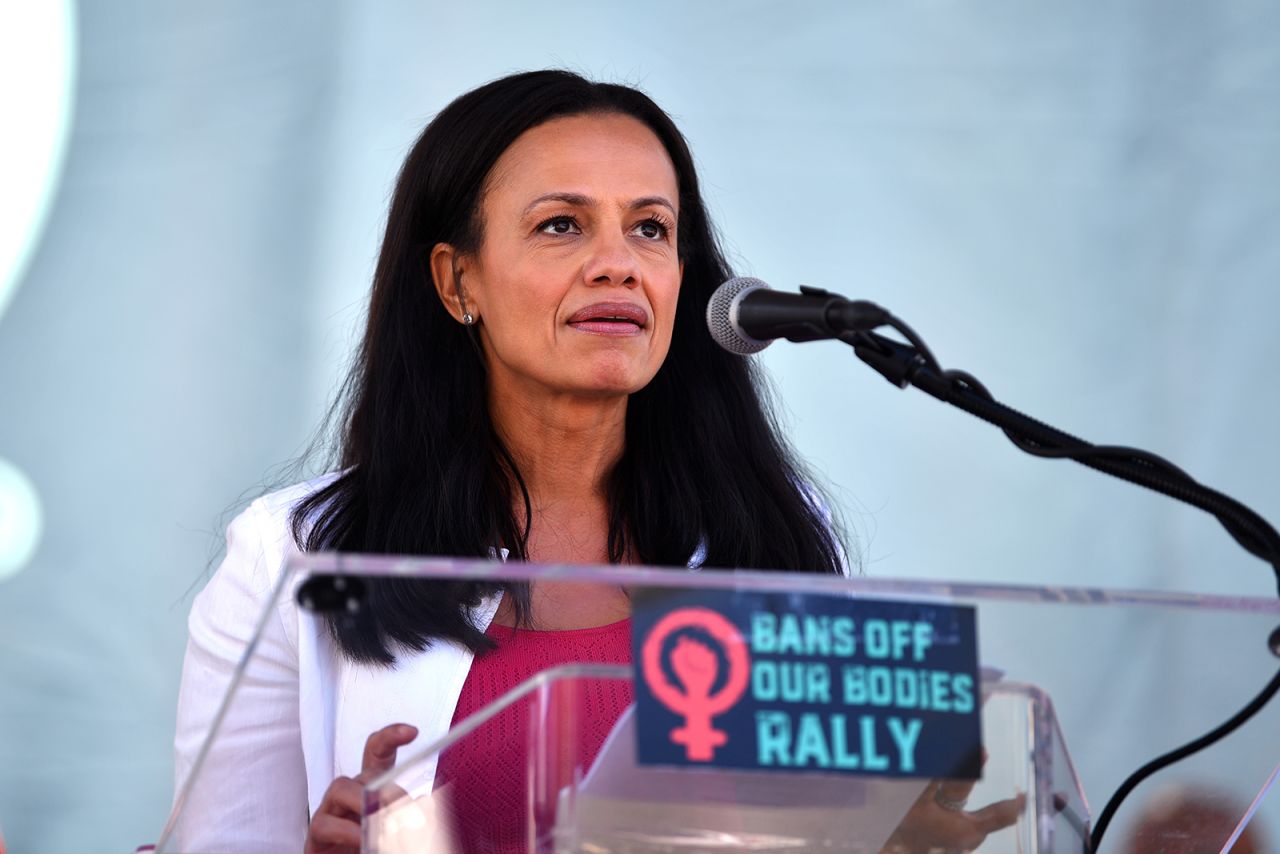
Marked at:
<point>939,821</point>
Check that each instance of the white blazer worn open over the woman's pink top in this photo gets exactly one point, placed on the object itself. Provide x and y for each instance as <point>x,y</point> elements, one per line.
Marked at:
<point>303,711</point>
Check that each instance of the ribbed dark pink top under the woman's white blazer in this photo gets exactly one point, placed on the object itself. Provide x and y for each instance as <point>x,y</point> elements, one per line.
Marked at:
<point>487,771</point>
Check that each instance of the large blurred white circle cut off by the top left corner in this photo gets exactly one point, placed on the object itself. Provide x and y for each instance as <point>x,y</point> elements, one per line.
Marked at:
<point>38,77</point>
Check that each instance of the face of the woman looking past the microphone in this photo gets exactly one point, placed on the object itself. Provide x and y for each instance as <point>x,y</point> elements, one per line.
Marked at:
<point>577,278</point>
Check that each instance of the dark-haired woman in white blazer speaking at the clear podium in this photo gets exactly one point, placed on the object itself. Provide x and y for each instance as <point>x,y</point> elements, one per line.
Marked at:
<point>536,380</point>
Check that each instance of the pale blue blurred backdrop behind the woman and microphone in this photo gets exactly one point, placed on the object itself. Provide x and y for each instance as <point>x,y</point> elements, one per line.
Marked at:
<point>1078,203</point>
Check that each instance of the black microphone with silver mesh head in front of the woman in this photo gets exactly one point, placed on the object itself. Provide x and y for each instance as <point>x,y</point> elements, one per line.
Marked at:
<point>746,316</point>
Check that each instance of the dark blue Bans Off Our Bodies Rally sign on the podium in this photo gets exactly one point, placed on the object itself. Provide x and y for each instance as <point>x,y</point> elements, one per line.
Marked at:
<point>807,683</point>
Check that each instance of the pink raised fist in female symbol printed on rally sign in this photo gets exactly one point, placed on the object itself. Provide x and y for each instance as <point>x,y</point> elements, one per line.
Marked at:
<point>697,666</point>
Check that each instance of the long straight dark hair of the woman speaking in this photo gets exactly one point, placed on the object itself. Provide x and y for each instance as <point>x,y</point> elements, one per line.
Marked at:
<point>423,468</point>
